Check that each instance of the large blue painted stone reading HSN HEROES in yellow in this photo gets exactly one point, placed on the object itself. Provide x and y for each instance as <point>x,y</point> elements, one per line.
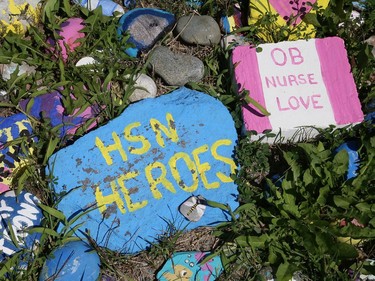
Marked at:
<point>138,176</point>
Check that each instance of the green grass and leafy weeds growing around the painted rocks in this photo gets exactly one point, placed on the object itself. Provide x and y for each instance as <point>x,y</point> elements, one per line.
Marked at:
<point>289,228</point>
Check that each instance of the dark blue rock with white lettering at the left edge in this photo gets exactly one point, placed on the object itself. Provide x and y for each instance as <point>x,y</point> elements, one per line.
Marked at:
<point>18,213</point>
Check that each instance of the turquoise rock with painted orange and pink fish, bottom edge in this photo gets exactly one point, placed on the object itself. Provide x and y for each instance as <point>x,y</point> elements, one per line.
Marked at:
<point>187,266</point>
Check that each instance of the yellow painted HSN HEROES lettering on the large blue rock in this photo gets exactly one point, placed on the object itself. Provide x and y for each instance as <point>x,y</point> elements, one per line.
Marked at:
<point>193,163</point>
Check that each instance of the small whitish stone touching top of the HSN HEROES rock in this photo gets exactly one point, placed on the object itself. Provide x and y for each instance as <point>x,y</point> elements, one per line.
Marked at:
<point>145,88</point>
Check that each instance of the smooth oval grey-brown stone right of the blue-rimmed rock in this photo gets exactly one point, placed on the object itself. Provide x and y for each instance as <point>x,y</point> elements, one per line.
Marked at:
<point>202,30</point>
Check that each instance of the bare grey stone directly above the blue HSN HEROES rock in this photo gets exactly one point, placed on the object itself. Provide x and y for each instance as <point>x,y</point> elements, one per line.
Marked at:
<point>176,69</point>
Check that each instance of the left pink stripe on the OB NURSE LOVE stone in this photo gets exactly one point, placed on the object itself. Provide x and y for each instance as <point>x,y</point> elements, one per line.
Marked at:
<point>248,77</point>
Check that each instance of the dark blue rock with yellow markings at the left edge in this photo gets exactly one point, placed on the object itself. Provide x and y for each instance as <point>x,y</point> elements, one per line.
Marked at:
<point>12,128</point>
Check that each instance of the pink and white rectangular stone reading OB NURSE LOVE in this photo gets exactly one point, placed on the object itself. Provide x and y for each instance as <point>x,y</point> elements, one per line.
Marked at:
<point>301,83</point>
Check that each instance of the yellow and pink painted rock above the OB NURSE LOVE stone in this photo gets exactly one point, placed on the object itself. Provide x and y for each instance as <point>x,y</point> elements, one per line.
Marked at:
<point>289,12</point>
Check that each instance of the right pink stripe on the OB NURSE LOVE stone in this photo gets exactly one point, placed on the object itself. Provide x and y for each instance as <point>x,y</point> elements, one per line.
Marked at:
<point>338,80</point>
